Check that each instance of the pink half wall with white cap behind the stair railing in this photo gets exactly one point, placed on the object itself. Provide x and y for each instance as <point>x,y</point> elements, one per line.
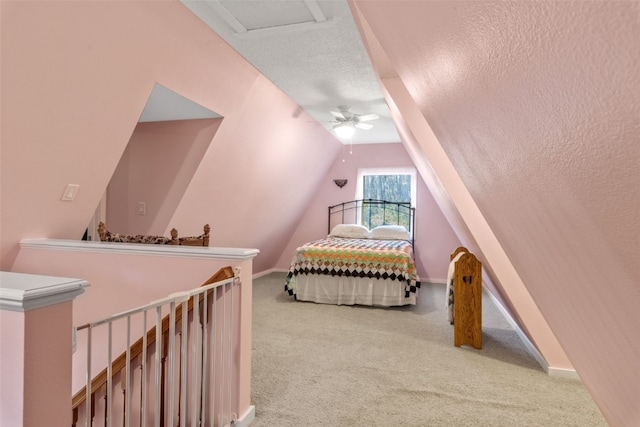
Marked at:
<point>122,281</point>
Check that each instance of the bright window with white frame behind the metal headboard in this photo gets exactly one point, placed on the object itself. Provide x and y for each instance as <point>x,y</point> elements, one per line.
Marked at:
<point>390,184</point>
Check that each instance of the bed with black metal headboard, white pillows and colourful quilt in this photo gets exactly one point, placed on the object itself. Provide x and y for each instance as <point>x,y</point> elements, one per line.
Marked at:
<point>366,258</point>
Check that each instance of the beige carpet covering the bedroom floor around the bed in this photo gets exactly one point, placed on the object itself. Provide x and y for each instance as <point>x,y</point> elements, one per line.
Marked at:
<point>325,365</point>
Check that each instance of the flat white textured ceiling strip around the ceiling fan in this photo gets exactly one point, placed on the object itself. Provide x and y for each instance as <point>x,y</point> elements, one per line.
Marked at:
<point>311,50</point>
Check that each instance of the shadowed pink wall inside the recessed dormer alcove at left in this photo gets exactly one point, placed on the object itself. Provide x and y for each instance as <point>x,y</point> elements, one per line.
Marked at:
<point>156,168</point>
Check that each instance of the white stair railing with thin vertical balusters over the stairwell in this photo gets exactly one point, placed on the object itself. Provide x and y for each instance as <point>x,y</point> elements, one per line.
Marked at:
<point>184,377</point>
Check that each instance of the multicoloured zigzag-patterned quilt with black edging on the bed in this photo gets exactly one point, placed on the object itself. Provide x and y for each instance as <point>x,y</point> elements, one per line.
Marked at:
<point>336,256</point>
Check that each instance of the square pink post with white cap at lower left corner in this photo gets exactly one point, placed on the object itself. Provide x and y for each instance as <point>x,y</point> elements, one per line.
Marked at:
<point>36,348</point>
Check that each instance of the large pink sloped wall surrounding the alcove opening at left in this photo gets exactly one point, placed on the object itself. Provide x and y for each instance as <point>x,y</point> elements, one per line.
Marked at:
<point>84,71</point>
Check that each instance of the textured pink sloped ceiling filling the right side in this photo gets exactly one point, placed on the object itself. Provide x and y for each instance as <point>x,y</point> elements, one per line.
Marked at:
<point>536,105</point>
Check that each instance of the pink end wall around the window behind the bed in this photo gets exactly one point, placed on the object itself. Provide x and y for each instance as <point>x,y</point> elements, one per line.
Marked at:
<point>435,239</point>
